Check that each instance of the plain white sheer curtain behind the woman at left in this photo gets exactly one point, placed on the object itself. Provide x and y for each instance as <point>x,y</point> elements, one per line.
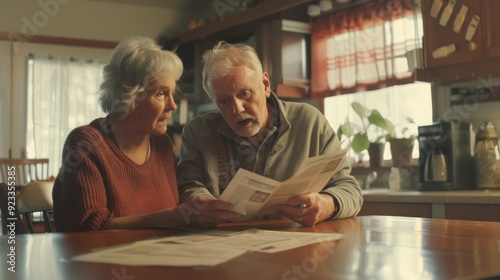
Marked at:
<point>62,95</point>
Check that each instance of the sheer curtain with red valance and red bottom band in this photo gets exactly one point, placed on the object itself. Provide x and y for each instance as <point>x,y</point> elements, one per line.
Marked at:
<point>365,48</point>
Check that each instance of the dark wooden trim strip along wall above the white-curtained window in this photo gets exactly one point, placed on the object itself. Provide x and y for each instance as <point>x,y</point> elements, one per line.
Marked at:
<point>17,37</point>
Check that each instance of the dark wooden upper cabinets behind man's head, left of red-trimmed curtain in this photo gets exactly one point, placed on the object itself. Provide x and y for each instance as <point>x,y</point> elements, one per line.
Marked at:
<point>278,30</point>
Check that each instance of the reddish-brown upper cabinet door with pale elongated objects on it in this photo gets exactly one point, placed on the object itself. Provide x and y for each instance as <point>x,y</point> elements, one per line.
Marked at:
<point>445,42</point>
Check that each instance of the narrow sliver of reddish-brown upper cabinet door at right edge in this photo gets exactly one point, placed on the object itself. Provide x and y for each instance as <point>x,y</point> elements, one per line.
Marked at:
<point>491,26</point>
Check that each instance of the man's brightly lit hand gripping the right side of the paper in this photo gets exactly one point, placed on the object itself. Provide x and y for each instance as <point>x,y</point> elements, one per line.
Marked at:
<point>308,209</point>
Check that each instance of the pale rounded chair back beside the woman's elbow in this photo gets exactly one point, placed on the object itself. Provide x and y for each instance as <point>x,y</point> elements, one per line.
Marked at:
<point>35,196</point>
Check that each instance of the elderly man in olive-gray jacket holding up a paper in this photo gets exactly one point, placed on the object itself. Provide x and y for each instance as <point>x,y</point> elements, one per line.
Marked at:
<point>256,131</point>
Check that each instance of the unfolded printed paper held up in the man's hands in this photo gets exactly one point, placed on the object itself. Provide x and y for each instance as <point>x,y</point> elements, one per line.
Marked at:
<point>253,194</point>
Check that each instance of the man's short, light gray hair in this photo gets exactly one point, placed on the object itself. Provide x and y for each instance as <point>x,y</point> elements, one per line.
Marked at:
<point>223,58</point>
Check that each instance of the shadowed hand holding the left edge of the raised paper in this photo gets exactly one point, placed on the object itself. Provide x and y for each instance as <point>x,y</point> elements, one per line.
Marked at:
<point>202,212</point>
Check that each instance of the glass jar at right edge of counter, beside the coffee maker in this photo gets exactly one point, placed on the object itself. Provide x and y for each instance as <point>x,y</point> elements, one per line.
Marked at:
<point>487,157</point>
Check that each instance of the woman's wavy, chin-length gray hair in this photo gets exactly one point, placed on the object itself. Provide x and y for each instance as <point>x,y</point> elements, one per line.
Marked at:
<point>136,64</point>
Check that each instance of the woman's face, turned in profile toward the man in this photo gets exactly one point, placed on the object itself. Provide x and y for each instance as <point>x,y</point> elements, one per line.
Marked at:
<point>154,108</point>
